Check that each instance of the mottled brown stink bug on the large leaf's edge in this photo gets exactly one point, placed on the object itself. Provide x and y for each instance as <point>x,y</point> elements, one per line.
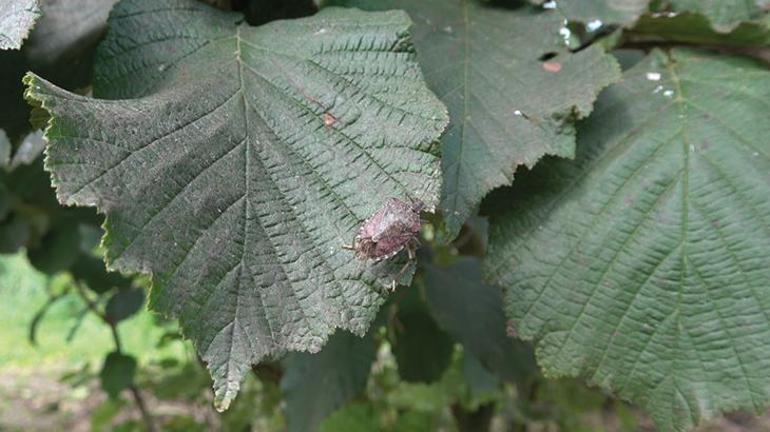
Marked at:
<point>388,231</point>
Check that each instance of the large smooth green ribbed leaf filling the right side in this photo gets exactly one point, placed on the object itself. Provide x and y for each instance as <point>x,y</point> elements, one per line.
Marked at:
<point>644,265</point>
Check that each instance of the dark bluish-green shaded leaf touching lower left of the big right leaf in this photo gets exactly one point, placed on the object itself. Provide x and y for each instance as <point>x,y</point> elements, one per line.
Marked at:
<point>471,311</point>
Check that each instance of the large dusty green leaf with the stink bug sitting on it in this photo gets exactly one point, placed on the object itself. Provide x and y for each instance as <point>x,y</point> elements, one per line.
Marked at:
<point>238,162</point>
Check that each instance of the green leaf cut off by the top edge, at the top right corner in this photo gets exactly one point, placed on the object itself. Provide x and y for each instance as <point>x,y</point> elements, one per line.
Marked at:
<point>725,15</point>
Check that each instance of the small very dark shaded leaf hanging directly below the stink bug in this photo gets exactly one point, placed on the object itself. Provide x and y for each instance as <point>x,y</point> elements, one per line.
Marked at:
<point>422,350</point>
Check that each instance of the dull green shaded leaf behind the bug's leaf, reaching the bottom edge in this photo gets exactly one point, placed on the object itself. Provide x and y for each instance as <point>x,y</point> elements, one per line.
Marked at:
<point>314,385</point>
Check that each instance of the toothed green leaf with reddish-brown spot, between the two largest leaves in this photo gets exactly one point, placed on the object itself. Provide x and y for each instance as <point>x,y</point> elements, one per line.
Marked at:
<point>507,107</point>
